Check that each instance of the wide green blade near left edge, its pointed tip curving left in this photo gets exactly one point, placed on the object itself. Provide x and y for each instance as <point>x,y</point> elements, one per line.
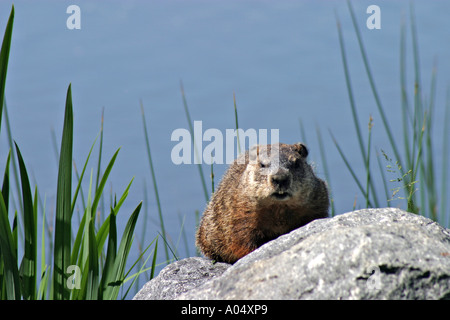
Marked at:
<point>29,262</point>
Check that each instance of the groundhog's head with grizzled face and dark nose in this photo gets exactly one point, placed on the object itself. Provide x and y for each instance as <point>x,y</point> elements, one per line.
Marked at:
<point>278,173</point>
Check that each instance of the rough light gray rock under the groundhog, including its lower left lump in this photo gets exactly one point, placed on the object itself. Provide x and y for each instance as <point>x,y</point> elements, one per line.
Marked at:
<point>367,254</point>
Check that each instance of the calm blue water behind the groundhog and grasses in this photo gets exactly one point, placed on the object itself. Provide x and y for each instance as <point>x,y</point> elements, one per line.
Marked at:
<point>280,58</point>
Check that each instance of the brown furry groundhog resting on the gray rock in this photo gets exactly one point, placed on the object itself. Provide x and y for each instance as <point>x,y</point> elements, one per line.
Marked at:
<point>266,192</point>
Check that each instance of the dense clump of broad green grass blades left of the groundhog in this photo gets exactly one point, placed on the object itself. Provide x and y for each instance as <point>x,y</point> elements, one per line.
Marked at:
<point>87,264</point>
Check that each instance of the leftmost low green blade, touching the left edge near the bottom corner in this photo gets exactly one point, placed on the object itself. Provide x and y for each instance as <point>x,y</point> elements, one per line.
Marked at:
<point>8,255</point>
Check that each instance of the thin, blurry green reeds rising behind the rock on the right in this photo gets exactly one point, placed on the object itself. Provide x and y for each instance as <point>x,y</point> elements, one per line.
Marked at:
<point>414,167</point>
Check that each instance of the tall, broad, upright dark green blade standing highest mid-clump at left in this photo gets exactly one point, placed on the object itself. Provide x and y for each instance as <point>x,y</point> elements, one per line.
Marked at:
<point>62,243</point>
